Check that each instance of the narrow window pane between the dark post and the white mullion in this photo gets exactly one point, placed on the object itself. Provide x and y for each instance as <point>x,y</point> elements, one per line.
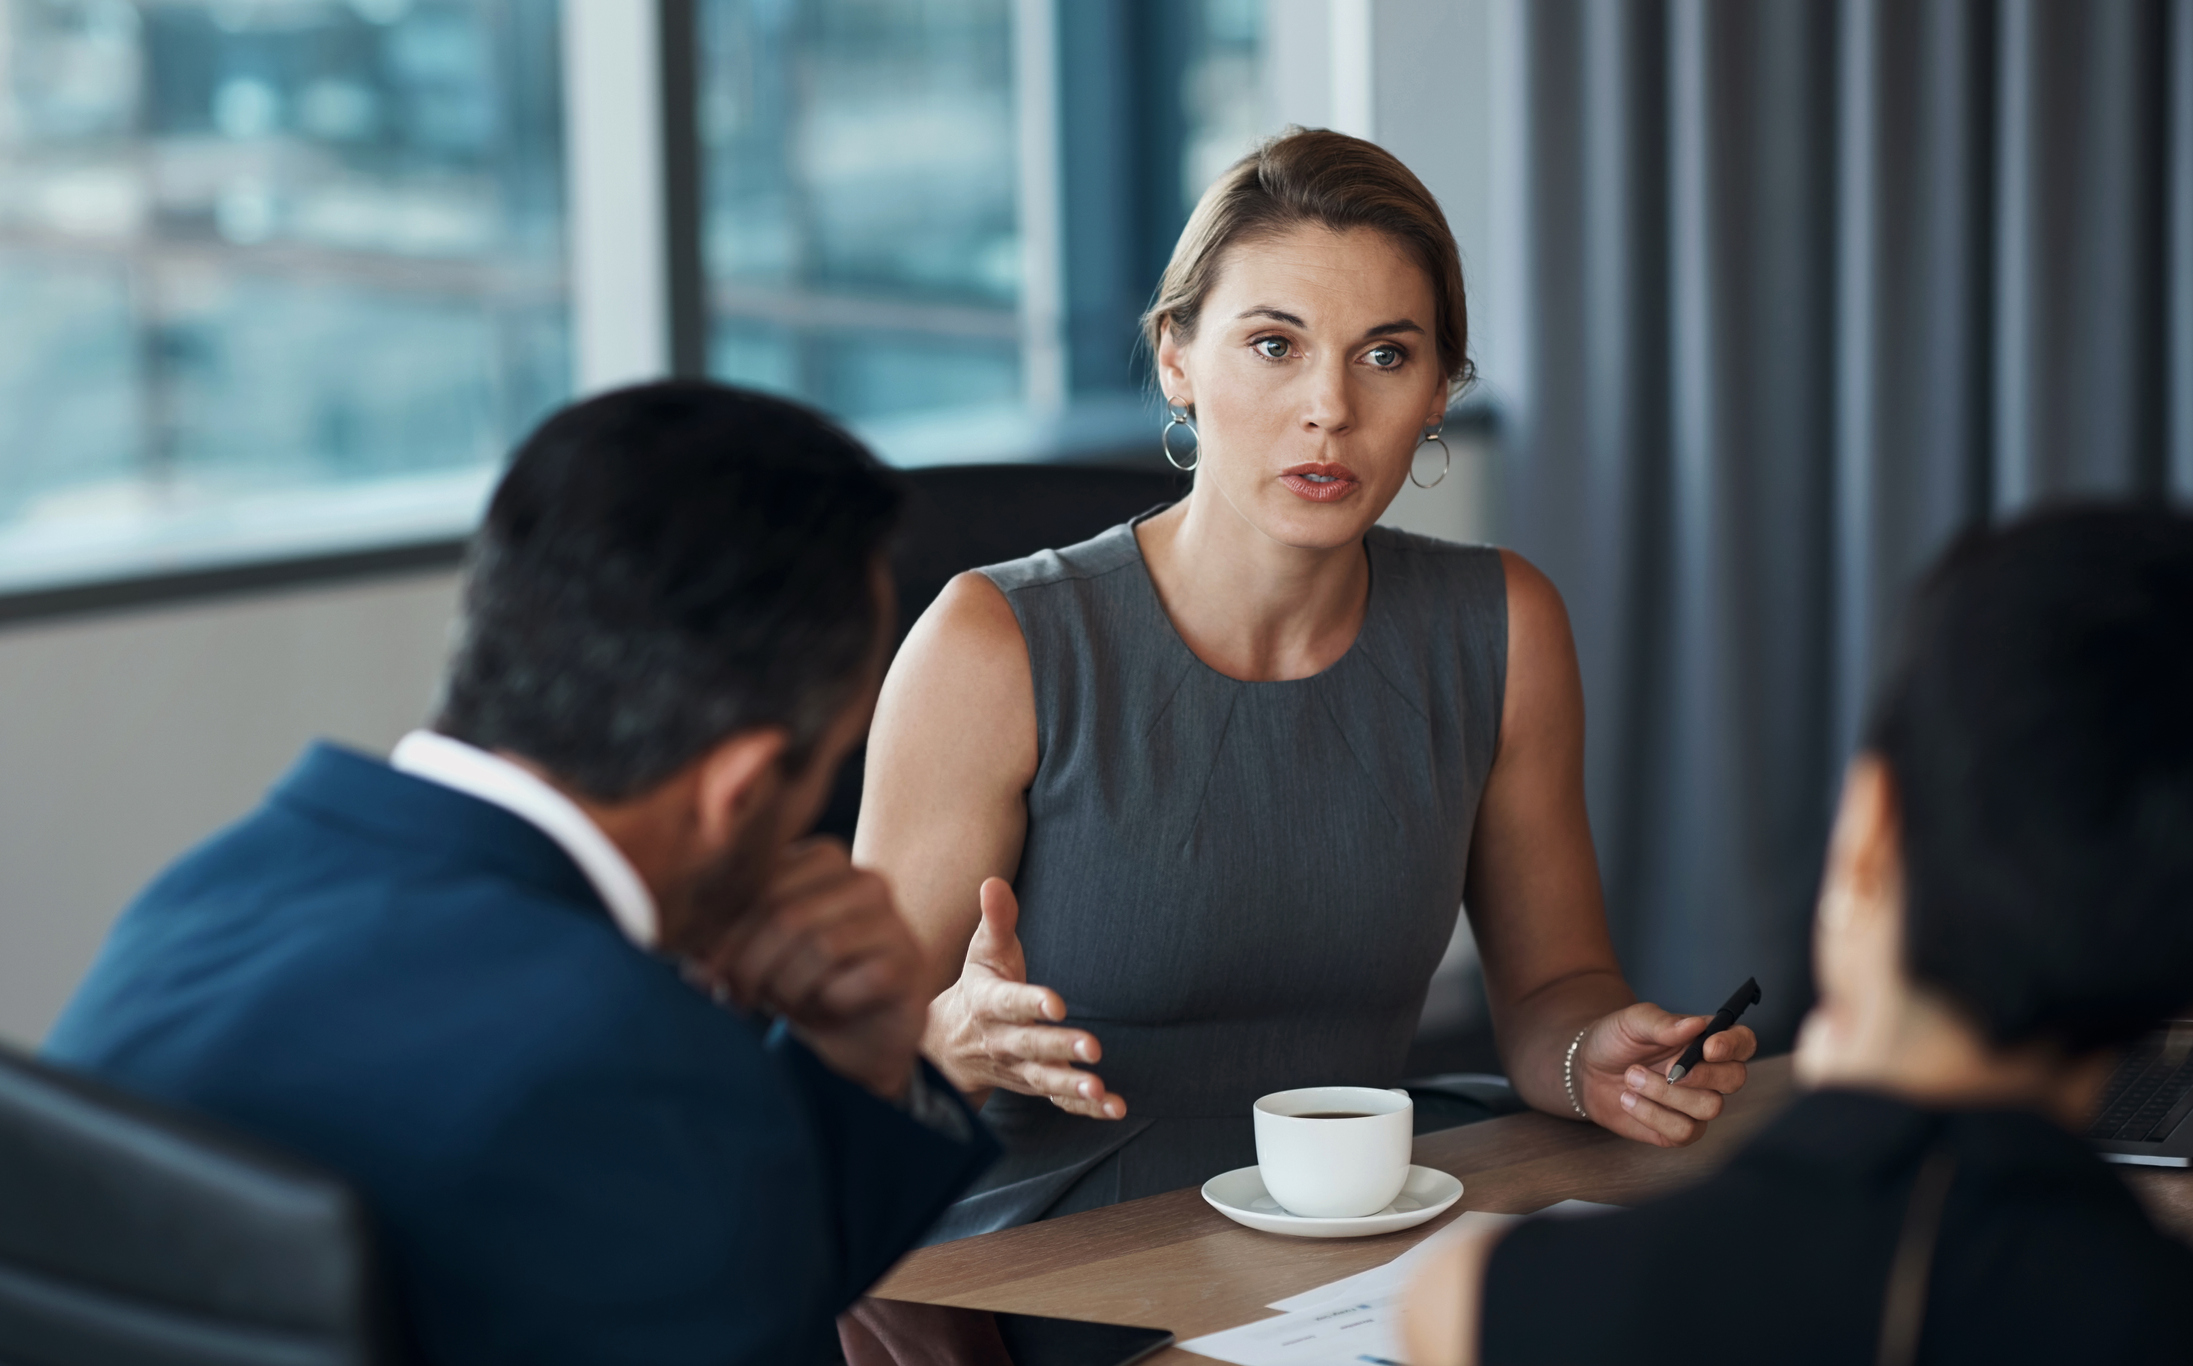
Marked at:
<point>859,177</point>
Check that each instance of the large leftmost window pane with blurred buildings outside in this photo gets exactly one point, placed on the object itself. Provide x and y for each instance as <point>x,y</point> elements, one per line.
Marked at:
<point>280,275</point>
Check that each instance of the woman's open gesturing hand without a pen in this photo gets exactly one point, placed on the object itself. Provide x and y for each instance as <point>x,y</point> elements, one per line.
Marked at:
<point>992,1029</point>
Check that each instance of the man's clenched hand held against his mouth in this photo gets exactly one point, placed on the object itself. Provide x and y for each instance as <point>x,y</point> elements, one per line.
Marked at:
<point>830,953</point>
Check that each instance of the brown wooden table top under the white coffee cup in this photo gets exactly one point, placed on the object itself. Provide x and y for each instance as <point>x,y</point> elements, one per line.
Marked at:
<point>1172,1262</point>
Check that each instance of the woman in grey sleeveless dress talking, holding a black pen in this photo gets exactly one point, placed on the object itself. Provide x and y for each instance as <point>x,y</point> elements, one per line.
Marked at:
<point>1216,784</point>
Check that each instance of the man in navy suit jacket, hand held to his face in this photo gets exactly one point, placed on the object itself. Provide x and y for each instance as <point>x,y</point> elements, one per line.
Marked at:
<point>624,1067</point>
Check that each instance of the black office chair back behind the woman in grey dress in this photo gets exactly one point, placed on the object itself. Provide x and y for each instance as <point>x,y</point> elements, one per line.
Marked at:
<point>966,516</point>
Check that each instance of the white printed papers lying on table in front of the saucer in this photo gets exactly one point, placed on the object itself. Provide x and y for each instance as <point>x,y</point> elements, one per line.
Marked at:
<point>1354,1321</point>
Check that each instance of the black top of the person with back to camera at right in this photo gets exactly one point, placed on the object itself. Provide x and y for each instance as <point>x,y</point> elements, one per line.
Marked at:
<point>1784,1255</point>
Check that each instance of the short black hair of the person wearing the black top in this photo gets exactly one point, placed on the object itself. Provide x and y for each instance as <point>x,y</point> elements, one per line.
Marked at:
<point>2038,725</point>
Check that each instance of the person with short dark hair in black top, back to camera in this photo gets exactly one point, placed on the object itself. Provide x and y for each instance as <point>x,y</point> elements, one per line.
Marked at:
<point>2008,902</point>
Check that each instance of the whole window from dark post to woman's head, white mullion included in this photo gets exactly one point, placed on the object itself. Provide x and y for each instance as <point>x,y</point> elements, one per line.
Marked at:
<point>876,205</point>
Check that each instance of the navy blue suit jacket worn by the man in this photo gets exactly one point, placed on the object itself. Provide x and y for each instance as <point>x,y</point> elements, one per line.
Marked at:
<point>573,1154</point>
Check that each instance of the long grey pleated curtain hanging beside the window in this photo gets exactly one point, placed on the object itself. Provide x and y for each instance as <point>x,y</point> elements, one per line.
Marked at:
<point>1813,286</point>
